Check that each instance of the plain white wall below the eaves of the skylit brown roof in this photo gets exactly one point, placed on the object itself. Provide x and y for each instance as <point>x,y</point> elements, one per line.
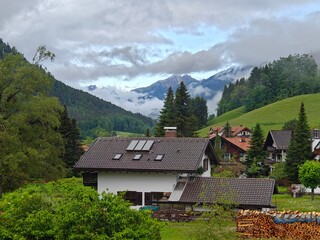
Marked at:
<point>139,181</point>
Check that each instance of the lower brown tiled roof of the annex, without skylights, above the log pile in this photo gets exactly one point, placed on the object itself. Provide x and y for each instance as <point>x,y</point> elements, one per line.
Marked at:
<point>244,191</point>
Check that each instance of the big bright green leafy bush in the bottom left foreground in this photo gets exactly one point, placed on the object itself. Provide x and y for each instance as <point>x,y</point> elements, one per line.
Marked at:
<point>67,210</point>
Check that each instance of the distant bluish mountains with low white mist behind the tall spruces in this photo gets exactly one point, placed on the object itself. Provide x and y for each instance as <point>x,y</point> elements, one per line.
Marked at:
<point>149,100</point>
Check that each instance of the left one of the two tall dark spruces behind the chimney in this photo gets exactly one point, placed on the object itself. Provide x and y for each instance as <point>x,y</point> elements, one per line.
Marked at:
<point>166,118</point>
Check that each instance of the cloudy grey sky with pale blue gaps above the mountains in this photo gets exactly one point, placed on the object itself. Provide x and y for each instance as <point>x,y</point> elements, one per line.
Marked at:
<point>131,43</point>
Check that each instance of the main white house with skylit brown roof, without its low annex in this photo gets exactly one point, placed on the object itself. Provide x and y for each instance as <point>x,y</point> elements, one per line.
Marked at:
<point>148,170</point>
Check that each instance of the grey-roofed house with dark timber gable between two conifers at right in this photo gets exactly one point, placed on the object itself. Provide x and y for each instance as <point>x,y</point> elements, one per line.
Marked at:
<point>276,144</point>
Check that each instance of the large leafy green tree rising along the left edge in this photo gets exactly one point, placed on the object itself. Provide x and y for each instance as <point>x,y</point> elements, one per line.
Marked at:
<point>30,143</point>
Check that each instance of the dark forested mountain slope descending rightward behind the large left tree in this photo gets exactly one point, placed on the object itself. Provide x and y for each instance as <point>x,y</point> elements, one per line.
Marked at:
<point>94,115</point>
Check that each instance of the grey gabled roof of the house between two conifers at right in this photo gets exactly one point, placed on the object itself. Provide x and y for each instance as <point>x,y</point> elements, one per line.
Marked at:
<point>281,139</point>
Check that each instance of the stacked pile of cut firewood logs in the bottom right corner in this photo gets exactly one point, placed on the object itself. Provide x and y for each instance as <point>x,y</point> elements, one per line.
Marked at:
<point>263,225</point>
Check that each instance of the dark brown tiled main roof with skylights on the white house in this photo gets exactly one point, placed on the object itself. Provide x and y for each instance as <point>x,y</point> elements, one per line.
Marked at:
<point>179,154</point>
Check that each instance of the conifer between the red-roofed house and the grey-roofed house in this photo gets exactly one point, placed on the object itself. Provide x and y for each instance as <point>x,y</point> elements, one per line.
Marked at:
<point>256,154</point>
